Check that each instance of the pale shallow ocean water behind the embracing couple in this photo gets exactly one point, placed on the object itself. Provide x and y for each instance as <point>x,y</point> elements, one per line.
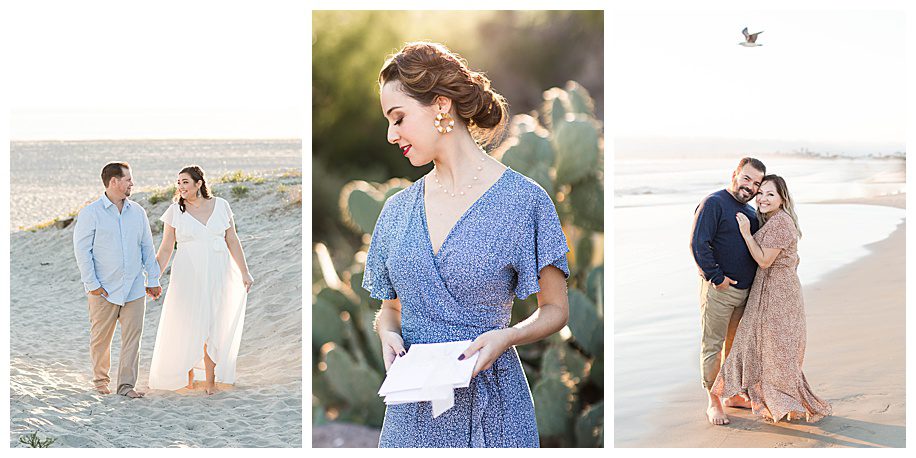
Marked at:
<point>656,286</point>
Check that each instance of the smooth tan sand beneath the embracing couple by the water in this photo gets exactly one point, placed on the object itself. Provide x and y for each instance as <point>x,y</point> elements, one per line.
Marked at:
<point>855,359</point>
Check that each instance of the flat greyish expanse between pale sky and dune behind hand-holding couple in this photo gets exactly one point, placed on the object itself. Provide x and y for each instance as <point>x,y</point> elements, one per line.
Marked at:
<point>49,179</point>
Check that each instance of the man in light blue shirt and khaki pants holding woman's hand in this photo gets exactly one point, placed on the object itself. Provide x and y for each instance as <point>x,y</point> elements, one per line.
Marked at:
<point>114,251</point>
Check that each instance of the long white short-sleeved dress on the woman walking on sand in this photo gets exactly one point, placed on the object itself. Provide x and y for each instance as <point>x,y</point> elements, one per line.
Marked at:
<point>204,303</point>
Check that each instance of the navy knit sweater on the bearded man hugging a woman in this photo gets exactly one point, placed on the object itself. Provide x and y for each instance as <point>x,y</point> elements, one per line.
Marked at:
<point>716,243</point>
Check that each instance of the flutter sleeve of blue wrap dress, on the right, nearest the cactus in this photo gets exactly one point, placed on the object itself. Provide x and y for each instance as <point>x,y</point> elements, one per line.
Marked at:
<point>541,243</point>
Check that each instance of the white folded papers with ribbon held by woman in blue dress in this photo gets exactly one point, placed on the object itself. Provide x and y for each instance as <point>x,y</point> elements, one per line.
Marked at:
<point>429,372</point>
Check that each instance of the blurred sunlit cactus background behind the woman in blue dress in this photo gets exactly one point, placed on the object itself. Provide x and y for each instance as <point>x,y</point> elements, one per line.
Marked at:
<point>532,58</point>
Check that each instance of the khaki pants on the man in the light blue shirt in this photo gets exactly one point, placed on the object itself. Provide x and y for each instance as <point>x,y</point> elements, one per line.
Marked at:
<point>103,318</point>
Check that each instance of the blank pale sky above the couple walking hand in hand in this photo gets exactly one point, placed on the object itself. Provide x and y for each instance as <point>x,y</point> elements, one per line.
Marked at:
<point>165,69</point>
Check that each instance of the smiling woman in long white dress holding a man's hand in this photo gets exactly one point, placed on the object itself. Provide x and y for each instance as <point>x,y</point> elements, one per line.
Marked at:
<point>204,309</point>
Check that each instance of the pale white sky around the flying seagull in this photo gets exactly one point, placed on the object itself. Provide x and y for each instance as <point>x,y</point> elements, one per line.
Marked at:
<point>831,77</point>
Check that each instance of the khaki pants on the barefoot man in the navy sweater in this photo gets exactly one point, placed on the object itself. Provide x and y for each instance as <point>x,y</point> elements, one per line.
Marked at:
<point>720,313</point>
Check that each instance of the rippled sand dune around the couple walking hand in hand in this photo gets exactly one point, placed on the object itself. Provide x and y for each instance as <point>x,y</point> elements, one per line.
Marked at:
<point>50,372</point>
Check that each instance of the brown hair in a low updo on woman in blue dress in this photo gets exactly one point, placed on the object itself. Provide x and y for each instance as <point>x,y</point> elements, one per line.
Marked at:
<point>427,70</point>
